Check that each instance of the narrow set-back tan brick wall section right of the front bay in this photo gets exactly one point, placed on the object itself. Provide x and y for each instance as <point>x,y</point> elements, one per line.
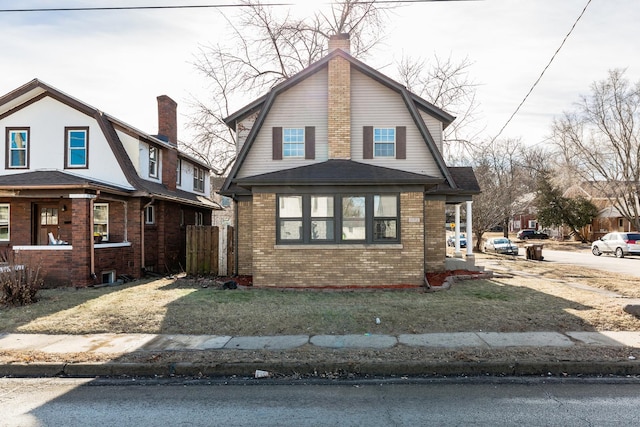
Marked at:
<point>435,246</point>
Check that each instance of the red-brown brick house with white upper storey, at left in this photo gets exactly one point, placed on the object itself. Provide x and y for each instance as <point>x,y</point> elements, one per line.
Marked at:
<point>90,197</point>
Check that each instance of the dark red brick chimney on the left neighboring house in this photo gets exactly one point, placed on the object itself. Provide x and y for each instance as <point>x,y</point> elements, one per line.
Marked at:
<point>168,131</point>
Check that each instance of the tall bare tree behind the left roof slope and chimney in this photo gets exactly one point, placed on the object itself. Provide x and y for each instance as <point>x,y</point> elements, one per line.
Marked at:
<point>264,50</point>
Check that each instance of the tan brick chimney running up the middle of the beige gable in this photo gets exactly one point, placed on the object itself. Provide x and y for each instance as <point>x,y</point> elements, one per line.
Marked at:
<point>339,114</point>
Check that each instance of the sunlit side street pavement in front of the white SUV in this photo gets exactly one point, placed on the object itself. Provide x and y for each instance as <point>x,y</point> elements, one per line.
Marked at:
<point>629,265</point>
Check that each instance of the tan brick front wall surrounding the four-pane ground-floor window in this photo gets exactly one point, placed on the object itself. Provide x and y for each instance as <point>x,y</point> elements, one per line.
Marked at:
<point>337,266</point>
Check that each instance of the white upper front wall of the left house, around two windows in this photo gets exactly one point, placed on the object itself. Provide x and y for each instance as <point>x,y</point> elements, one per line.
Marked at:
<point>47,120</point>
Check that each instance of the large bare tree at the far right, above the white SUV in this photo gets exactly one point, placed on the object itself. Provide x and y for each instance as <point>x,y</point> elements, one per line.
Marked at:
<point>600,140</point>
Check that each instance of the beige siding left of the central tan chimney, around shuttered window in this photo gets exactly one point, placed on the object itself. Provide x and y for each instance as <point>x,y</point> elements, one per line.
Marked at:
<point>304,104</point>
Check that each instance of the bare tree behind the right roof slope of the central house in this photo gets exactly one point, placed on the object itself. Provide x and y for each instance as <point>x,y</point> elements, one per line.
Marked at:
<point>446,84</point>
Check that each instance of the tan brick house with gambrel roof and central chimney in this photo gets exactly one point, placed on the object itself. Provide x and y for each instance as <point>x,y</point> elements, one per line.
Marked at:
<point>340,179</point>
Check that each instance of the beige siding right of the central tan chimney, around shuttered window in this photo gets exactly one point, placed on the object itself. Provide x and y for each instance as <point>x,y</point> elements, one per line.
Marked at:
<point>373,104</point>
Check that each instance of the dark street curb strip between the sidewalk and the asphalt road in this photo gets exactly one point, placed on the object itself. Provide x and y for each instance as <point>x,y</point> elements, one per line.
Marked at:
<point>277,369</point>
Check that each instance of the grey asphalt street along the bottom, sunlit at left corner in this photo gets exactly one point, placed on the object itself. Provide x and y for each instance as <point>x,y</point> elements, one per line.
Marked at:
<point>508,402</point>
